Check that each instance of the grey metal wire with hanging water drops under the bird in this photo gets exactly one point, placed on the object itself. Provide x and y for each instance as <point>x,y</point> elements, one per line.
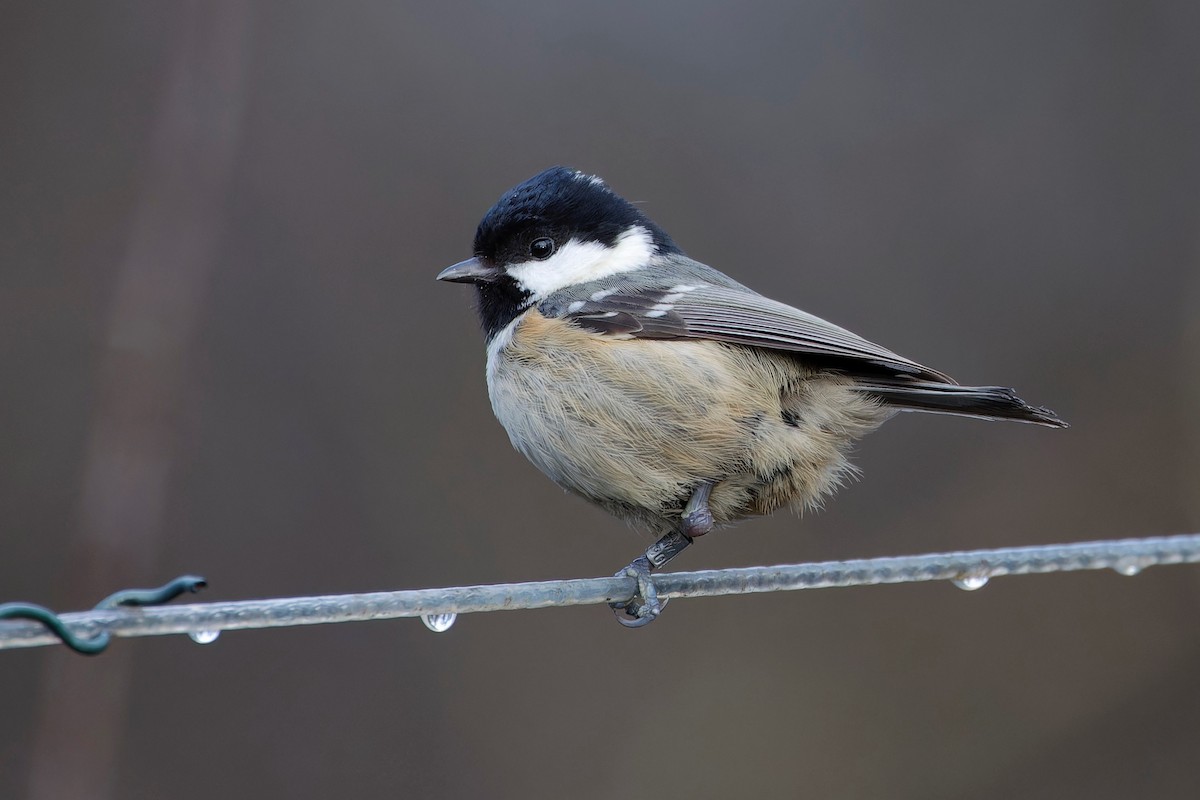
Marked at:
<point>969,570</point>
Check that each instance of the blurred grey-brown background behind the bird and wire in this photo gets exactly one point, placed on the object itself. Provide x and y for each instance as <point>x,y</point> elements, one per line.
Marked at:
<point>224,352</point>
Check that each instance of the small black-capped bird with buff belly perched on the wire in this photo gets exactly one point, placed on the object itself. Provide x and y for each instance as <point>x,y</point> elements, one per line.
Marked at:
<point>665,392</point>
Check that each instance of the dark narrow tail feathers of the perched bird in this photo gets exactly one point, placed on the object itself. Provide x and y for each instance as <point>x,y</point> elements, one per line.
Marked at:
<point>985,402</point>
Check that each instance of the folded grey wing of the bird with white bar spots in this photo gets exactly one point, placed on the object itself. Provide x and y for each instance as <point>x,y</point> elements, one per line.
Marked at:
<point>735,315</point>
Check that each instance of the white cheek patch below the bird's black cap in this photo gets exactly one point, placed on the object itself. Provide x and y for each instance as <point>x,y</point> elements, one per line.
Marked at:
<point>583,262</point>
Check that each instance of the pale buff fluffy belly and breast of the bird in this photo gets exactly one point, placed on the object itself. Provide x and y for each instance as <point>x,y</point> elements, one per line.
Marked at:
<point>635,425</point>
